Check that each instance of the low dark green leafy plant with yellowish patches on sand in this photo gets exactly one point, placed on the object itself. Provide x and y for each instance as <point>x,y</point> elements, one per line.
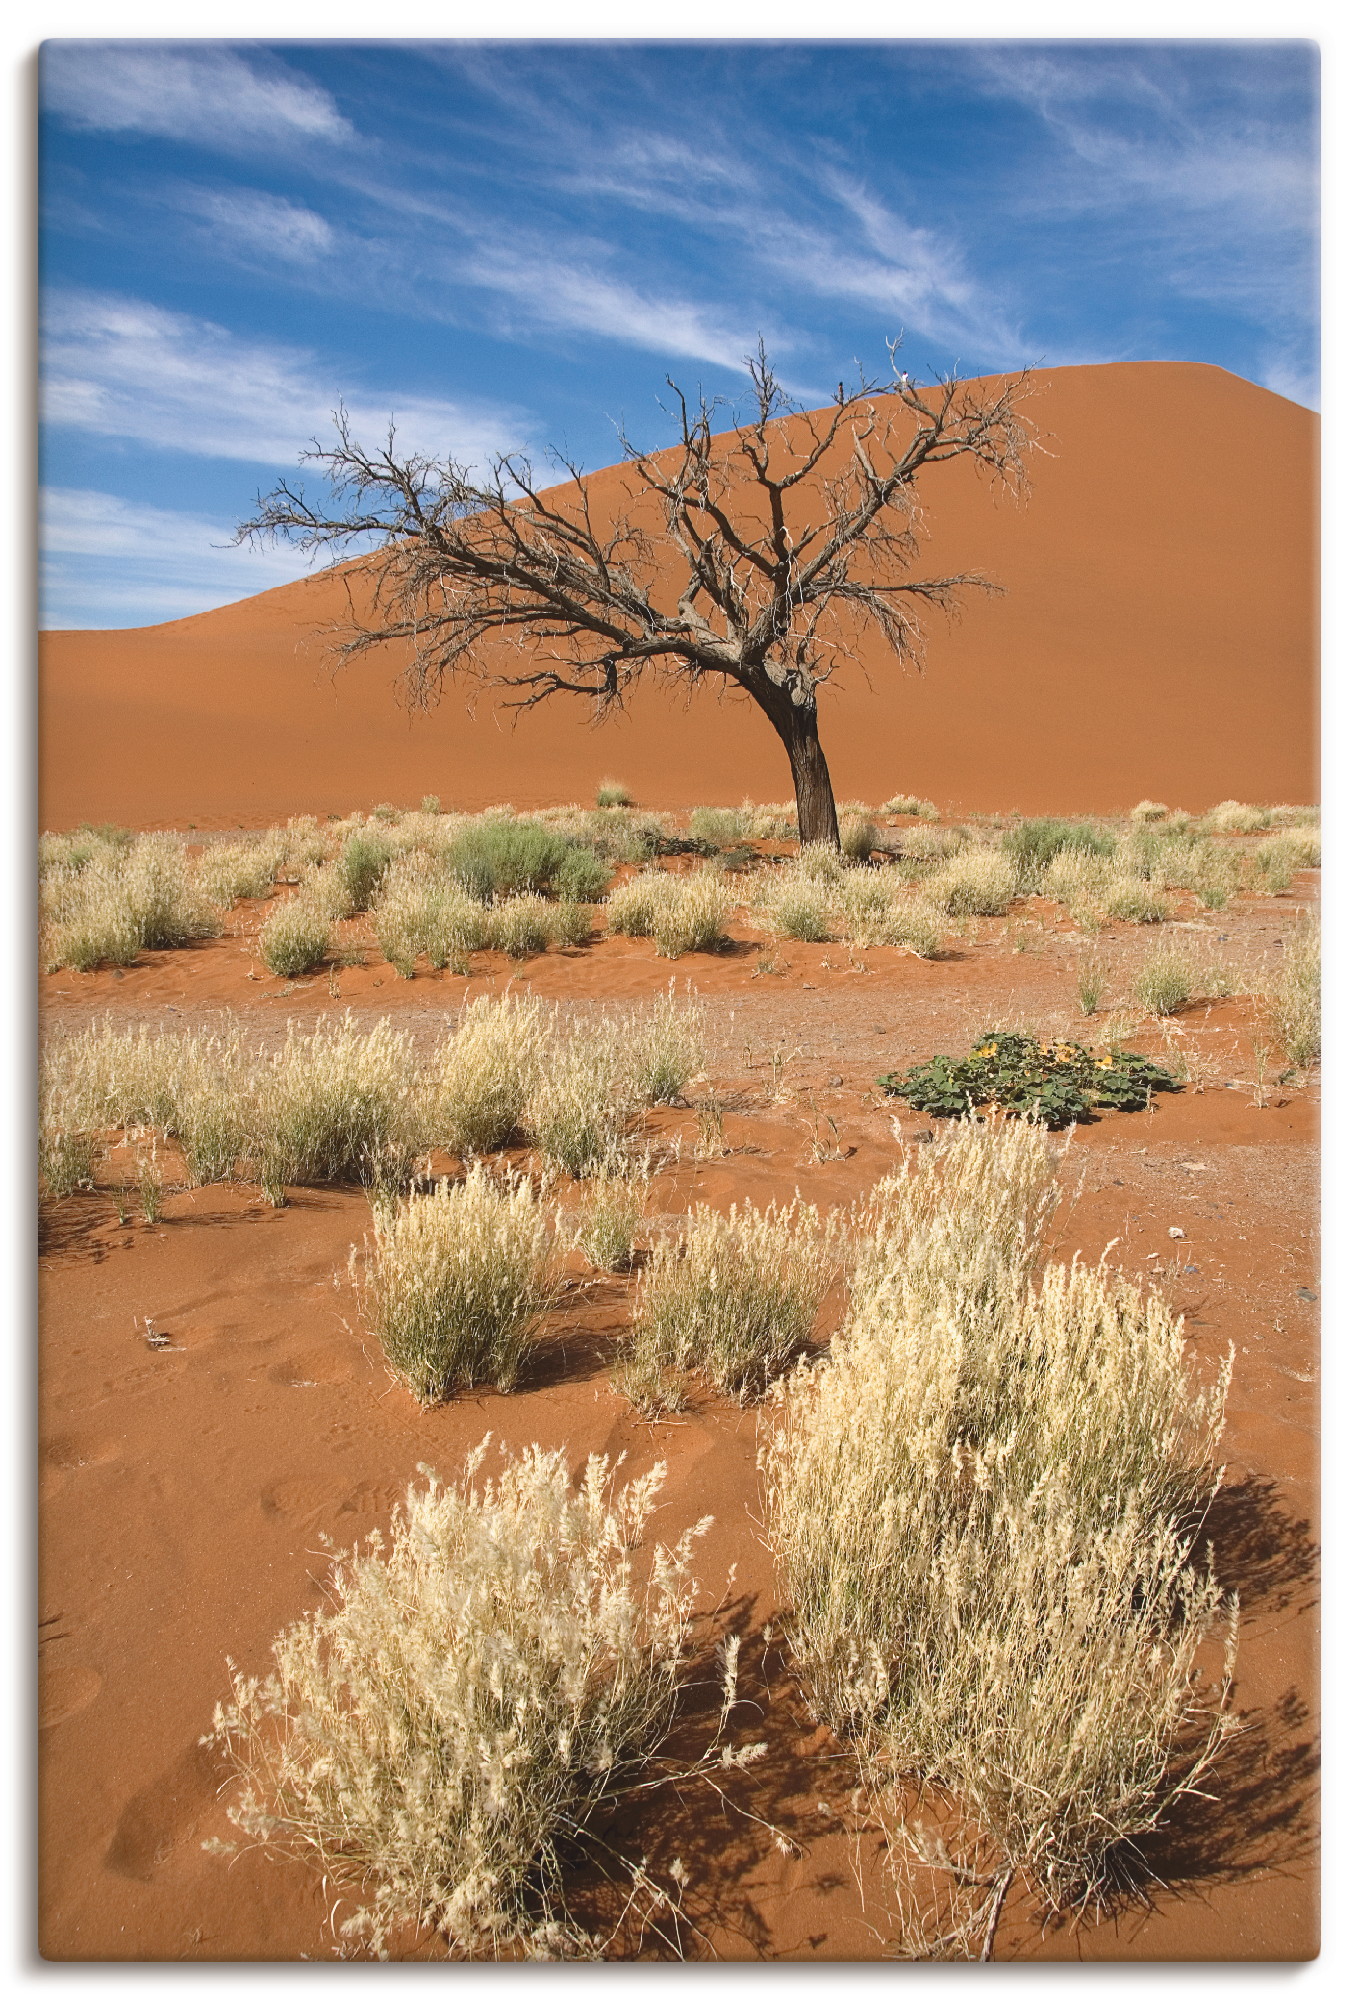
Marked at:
<point>1058,1083</point>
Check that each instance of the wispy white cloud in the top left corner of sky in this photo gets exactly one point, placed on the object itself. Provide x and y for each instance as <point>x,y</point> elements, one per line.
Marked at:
<point>203,93</point>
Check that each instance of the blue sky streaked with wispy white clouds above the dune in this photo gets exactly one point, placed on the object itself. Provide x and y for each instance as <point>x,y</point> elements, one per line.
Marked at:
<point>513,247</point>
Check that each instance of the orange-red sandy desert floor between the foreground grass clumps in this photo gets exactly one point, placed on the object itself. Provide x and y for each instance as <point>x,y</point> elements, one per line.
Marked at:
<point>187,1489</point>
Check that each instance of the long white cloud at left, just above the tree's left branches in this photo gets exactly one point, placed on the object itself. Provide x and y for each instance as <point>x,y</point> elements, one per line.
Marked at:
<point>125,369</point>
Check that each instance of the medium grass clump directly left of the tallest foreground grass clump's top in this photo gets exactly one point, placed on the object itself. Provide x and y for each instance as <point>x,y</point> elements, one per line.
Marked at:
<point>734,1301</point>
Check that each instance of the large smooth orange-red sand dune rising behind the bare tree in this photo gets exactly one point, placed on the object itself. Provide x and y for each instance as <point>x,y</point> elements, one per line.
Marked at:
<point>1158,637</point>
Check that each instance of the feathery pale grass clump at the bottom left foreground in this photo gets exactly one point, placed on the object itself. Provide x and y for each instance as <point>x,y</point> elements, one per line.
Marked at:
<point>469,1705</point>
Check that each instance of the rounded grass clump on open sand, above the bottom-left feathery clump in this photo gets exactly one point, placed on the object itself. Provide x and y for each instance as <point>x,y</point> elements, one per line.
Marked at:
<point>457,1283</point>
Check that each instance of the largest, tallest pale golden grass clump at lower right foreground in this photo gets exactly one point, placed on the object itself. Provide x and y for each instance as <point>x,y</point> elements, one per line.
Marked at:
<point>982,1505</point>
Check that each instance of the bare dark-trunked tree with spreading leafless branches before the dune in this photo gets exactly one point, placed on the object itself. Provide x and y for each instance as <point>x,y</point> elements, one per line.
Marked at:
<point>756,557</point>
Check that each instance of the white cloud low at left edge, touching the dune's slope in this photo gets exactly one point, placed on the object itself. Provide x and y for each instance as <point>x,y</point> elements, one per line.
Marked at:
<point>113,561</point>
